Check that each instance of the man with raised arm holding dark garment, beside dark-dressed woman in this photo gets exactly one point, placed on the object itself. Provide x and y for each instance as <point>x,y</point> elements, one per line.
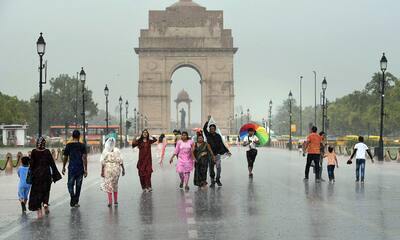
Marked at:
<point>218,147</point>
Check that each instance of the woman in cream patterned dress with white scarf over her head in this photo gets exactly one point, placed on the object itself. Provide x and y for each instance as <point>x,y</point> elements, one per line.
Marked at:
<point>111,165</point>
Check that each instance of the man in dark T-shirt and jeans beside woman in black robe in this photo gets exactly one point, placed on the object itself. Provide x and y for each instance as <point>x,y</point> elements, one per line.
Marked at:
<point>75,152</point>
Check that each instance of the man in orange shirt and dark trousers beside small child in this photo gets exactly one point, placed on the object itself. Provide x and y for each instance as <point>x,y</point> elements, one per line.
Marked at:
<point>313,149</point>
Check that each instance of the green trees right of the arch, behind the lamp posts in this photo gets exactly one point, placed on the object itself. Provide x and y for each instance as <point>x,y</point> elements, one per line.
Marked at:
<point>357,113</point>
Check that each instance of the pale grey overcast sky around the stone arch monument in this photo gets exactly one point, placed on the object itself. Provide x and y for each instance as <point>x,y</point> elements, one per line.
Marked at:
<point>278,41</point>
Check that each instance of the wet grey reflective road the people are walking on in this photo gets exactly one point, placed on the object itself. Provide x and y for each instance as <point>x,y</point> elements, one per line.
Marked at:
<point>276,204</point>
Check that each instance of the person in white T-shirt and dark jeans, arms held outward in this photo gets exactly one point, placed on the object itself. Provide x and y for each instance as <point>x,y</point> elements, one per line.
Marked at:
<point>360,150</point>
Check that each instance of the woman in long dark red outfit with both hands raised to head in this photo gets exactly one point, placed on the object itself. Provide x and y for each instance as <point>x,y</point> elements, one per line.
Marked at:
<point>144,164</point>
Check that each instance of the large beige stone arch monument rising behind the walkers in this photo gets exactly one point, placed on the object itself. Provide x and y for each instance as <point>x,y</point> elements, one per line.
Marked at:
<point>186,35</point>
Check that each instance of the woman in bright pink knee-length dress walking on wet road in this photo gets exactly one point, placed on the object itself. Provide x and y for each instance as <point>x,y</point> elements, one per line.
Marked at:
<point>184,151</point>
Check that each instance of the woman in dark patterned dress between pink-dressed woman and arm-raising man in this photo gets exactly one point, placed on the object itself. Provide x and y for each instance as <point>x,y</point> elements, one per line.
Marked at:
<point>203,156</point>
